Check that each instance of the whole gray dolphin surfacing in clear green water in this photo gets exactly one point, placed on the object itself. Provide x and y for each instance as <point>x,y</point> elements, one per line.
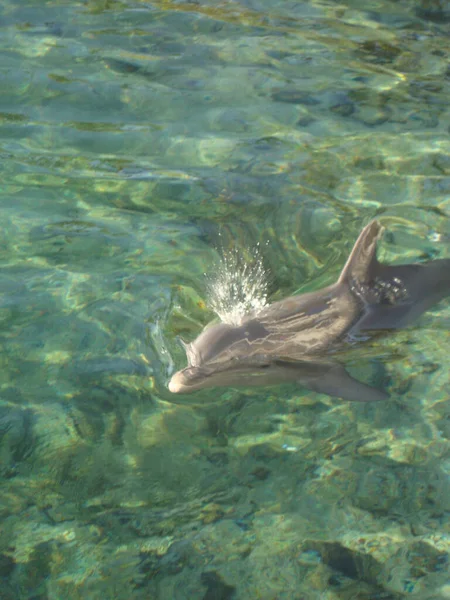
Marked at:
<point>291,340</point>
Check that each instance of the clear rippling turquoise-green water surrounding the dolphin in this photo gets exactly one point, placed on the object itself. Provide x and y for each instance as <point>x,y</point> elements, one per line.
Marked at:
<point>132,135</point>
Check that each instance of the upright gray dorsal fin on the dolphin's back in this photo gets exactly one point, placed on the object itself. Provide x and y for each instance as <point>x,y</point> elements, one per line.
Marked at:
<point>362,264</point>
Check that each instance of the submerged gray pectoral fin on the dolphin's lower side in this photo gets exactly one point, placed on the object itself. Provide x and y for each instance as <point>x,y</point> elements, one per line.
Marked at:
<point>331,378</point>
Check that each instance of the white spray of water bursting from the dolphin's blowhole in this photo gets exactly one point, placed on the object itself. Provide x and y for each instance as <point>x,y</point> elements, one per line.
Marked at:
<point>237,287</point>
